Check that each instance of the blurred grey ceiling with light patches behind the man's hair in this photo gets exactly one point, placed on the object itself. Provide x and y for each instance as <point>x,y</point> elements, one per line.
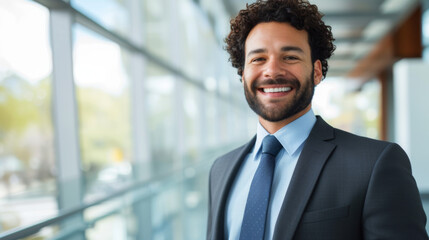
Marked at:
<point>357,26</point>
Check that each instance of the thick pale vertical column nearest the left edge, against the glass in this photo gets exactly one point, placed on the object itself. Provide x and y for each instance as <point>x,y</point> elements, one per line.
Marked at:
<point>69,175</point>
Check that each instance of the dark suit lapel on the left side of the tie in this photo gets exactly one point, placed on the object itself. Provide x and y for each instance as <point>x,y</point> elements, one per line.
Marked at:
<point>226,180</point>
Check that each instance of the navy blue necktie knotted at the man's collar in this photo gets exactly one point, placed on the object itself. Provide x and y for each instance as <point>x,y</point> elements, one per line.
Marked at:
<point>255,213</point>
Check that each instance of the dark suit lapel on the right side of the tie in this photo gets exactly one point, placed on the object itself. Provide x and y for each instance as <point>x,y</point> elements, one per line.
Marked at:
<point>310,164</point>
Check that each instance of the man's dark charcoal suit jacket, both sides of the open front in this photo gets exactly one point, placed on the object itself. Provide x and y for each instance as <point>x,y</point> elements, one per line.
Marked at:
<point>343,187</point>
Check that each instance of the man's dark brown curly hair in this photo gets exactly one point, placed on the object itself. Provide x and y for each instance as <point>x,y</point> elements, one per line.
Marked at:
<point>299,13</point>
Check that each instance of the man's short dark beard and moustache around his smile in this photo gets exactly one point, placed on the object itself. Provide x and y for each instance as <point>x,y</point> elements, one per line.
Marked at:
<point>300,100</point>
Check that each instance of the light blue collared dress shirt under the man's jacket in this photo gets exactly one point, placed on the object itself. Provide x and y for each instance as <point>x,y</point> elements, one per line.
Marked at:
<point>292,138</point>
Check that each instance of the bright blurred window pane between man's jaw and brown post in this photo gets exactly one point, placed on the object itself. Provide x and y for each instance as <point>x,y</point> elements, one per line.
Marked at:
<point>348,105</point>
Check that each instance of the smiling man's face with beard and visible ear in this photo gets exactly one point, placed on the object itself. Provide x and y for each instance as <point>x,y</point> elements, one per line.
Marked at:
<point>279,76</point>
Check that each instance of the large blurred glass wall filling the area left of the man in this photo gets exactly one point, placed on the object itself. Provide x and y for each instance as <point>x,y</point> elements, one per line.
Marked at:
<point>149,81</point>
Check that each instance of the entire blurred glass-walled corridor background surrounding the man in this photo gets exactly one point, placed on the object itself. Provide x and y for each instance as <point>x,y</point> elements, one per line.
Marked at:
<point>112,111</point>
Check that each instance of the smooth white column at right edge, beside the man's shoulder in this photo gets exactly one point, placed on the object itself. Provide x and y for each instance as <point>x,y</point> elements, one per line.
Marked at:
<point>411,112</point>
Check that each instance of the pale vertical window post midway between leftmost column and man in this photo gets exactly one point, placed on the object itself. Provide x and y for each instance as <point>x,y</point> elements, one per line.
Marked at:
<point>140,135</point>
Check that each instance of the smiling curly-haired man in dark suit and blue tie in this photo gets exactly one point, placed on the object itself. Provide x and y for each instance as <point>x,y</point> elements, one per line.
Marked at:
<point>323,183</point>
